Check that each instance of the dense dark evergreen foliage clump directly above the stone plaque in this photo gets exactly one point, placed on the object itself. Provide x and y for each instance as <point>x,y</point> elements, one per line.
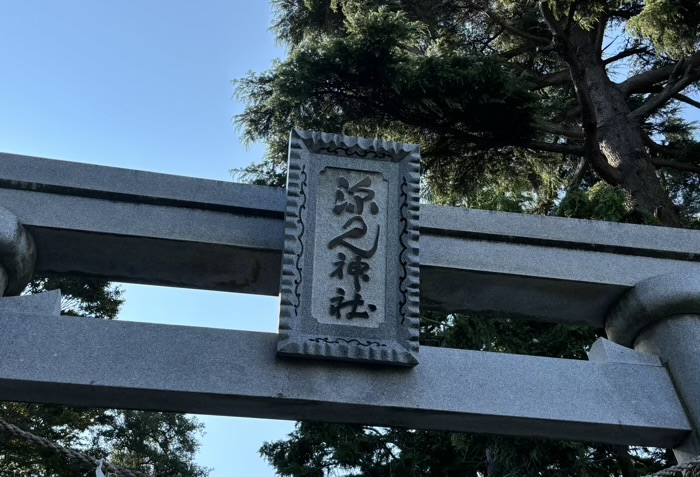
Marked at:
<point>384,74</point>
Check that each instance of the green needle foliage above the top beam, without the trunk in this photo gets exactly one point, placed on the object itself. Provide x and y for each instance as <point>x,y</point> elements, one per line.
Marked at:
<point>474,95</point>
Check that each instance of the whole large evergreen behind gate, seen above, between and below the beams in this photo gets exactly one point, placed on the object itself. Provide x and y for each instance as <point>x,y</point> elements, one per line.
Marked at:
<point>551,107</point>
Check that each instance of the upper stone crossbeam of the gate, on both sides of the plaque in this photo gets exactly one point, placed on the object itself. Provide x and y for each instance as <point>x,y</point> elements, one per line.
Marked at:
<point>157,229</point>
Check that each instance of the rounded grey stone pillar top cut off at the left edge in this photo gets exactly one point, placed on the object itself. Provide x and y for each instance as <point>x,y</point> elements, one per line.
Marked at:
<point>17,253</point>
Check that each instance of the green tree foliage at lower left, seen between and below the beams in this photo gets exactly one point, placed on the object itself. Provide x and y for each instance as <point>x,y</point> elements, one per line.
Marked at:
<point>154,443</point>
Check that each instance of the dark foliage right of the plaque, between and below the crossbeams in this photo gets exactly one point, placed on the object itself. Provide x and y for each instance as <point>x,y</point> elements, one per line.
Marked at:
<point>320,450</point>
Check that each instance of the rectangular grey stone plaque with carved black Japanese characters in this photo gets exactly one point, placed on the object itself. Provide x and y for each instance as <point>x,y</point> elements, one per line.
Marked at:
<point>349,287</point>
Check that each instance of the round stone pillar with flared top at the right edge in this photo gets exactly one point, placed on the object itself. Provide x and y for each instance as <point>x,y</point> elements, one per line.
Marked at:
<point>661,316</point>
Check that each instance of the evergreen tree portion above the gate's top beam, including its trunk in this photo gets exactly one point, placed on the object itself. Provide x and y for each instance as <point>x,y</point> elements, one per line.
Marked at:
<point>494,91</point>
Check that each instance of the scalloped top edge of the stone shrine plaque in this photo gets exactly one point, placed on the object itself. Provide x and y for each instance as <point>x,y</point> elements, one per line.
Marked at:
<point>325,143</point>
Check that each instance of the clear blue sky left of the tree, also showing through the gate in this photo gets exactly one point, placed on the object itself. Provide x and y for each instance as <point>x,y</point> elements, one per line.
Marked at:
<point>146,85</point>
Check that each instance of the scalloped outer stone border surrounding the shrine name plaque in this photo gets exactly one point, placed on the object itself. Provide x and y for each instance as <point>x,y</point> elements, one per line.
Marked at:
<point>337,348</point>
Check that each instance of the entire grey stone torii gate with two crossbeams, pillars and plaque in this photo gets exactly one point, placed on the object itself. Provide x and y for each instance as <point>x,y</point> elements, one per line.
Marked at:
<point>641,283</point>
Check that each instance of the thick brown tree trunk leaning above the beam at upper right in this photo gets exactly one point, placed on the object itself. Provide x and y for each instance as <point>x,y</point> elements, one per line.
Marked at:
<point>613,140</point>
